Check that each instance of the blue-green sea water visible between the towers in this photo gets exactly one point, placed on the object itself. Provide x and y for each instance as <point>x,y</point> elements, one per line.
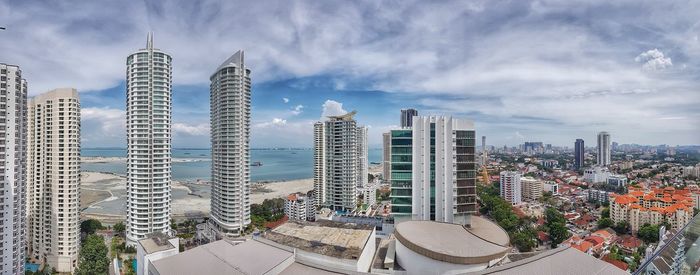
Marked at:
<point>277,164</point>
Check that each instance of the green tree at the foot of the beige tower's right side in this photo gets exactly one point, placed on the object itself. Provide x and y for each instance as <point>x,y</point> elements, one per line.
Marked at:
<point>93,256</point>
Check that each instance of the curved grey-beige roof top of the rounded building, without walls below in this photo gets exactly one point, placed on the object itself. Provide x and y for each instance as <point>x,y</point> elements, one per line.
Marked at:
<point>482,242</point>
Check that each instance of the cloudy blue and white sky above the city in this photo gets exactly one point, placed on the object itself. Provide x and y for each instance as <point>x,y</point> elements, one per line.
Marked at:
<point>549,71</point>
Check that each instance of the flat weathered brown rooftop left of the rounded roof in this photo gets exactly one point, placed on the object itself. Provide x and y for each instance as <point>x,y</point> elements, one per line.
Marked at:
<point>339,240</point>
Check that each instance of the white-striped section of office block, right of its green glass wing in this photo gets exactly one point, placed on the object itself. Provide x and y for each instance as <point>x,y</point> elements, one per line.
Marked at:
<point>444,175</point>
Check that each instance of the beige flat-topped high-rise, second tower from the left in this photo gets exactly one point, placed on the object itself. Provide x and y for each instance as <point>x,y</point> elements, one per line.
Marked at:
<point>53,178</point>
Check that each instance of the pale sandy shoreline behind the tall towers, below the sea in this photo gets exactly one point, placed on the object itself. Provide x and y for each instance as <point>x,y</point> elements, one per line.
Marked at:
<point>99,188</point>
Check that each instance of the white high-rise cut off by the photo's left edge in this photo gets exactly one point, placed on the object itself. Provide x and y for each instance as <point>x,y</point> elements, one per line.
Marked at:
<point>13,143</point>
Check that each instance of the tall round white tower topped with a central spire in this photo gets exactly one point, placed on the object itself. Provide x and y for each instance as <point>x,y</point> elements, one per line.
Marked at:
<point>148,124</point>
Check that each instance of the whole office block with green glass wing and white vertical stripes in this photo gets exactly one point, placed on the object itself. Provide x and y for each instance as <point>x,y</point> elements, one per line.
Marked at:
<point>433,169</point>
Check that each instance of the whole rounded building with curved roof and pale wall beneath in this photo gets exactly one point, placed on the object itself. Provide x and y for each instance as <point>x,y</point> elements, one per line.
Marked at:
<point>429,246</point>
